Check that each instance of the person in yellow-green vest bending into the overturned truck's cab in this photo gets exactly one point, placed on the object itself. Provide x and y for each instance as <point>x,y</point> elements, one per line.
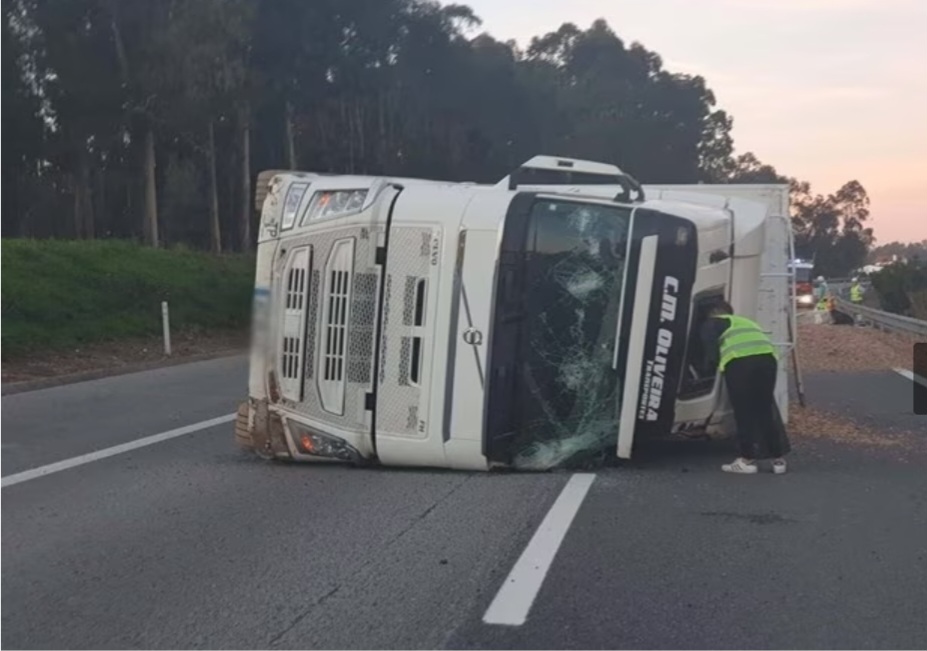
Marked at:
<point>747,358</point>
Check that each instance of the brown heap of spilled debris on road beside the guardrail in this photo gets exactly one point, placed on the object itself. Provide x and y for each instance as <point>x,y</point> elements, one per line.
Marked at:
<point>849,348</point>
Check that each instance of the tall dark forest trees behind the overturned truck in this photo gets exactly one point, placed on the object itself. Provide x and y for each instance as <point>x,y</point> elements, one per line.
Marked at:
<point>150,119</point>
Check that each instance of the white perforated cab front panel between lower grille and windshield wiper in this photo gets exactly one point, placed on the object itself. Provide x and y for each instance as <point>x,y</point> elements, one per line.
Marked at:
<point>413,329</point>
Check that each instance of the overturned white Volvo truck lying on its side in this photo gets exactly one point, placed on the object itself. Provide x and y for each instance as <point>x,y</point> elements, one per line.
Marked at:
<point>555,314</point>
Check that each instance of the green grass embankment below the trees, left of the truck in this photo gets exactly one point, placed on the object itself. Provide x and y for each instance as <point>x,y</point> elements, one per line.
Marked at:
<point>58,294</point>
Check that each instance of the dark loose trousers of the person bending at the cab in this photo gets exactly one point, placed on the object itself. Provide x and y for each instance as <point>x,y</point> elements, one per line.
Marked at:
<point>751,385</point>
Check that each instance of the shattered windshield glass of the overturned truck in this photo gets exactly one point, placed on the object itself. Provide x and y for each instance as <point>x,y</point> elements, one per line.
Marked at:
<point>565,389</point>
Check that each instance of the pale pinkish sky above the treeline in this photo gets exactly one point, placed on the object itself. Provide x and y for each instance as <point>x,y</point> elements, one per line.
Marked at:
<point>824,90</point>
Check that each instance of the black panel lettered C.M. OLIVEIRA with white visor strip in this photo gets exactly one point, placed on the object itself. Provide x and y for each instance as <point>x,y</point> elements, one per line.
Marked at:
<point>654,324</point>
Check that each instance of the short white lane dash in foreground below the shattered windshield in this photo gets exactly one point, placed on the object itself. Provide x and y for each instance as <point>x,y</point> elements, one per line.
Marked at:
<point>517,594</point>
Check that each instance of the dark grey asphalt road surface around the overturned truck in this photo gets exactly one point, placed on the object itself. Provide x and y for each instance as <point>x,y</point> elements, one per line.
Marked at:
<point>190,543</point>
